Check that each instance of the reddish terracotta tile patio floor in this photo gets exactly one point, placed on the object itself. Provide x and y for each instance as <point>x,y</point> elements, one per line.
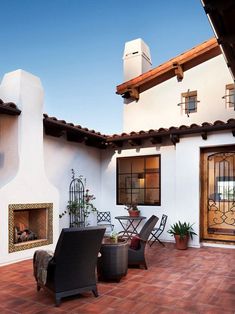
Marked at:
<point>191,281</point>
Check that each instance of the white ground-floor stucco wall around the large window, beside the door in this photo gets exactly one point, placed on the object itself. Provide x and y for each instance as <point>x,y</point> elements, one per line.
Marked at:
<point>180,180</point>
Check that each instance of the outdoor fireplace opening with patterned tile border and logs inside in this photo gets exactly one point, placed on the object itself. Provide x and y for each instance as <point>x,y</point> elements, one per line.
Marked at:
<point>30,225</point>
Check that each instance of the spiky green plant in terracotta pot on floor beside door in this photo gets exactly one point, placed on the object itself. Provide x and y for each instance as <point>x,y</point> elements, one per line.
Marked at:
<point>182,232</point>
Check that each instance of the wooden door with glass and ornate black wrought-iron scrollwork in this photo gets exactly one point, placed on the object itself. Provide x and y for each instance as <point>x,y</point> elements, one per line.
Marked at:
<point>218,194</point>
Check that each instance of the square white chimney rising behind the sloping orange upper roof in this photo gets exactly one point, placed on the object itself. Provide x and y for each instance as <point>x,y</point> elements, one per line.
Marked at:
<point>136,59</point>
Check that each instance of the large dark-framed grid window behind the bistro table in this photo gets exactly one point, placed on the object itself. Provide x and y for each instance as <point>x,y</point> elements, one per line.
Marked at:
<point>138,180</point>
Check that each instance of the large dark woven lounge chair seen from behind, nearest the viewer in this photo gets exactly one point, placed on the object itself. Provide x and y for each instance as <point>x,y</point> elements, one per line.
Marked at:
<point>72,270</point>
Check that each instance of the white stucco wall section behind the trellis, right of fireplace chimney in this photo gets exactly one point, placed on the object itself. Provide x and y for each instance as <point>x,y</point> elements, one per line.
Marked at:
<point>60,157</point>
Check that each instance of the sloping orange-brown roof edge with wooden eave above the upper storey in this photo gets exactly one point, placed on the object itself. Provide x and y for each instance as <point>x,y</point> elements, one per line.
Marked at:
<point>186,60</point>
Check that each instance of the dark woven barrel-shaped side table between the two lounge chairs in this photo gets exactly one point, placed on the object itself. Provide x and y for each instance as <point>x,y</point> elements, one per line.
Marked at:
<point>113,262</point>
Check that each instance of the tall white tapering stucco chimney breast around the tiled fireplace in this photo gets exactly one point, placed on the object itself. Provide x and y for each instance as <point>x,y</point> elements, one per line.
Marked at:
<point>29,184</point>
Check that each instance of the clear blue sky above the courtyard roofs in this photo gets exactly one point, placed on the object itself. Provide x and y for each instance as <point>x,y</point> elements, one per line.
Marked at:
<point>76,48</point>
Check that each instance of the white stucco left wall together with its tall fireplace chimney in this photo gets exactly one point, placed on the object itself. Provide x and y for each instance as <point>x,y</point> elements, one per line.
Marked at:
<point>35,168</point>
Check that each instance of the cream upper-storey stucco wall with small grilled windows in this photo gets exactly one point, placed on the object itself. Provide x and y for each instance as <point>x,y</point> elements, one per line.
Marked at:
<point>157,107</point>
